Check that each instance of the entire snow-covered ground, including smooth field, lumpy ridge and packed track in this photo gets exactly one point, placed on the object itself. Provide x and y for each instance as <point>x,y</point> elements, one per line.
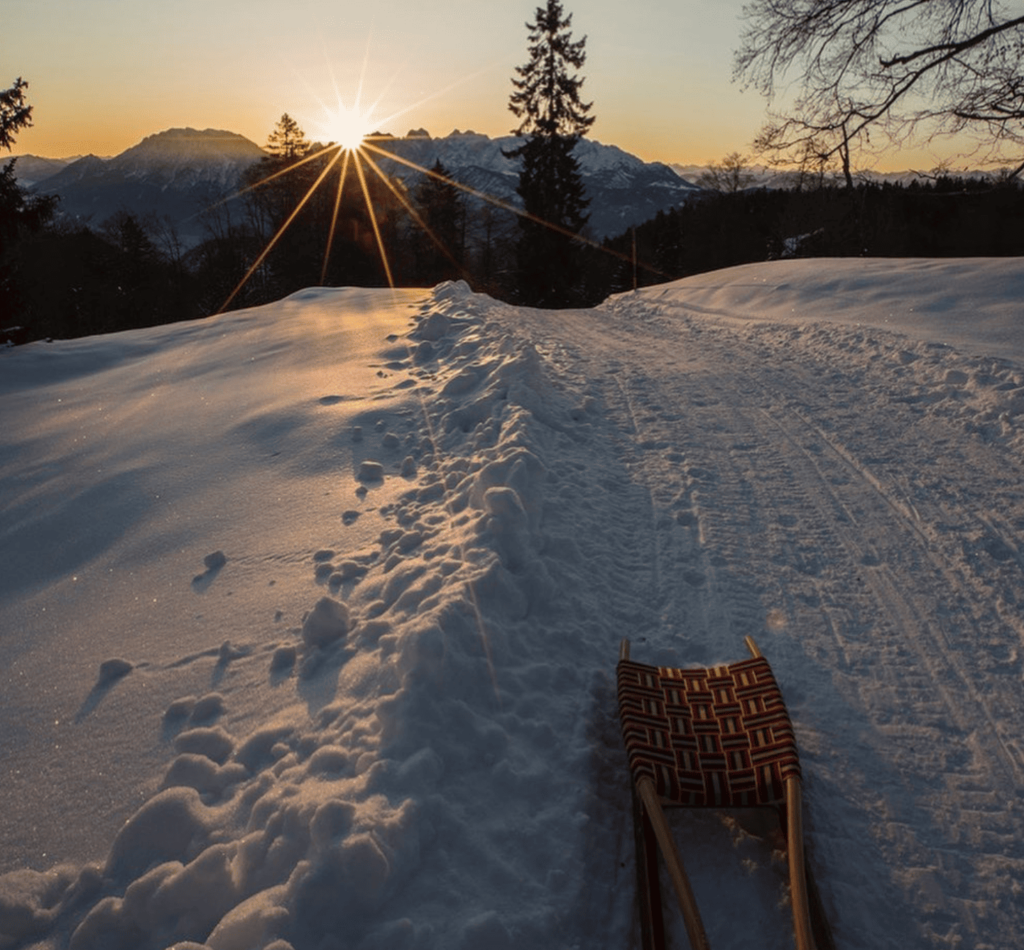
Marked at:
<point>310,614</point>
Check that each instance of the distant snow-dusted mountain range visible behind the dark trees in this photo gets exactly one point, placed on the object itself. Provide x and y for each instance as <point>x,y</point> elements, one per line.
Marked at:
<point>178,174</point>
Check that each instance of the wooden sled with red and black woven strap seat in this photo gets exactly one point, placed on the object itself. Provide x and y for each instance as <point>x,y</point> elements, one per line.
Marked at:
<point>717,738</point>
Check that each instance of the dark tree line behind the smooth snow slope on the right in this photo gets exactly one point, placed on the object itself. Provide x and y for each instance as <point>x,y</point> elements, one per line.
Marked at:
<point>947,218</point>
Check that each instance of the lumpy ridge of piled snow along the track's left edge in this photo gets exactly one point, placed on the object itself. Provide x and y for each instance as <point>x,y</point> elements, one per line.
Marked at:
<point>434,739</point>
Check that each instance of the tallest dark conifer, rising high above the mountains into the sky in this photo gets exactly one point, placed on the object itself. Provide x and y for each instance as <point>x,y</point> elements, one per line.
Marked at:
<point>552,116</point>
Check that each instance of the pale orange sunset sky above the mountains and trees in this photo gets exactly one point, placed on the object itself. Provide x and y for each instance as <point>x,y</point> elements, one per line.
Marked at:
<point>104,74</point>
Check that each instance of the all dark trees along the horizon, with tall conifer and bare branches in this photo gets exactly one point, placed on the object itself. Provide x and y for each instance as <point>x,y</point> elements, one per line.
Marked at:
<point>294,225</point>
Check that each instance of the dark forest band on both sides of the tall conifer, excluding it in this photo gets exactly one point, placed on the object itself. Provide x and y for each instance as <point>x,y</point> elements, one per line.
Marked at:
<point>62,280</point>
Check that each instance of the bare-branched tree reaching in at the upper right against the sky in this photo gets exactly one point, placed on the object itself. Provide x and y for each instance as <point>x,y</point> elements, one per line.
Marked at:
<point>892,66</point>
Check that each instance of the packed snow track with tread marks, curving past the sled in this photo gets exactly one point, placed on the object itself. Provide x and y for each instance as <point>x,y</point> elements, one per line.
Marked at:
<point>800,495</point>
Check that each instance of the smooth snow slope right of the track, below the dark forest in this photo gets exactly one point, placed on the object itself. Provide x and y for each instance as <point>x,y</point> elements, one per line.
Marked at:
<point>946,335</point>
